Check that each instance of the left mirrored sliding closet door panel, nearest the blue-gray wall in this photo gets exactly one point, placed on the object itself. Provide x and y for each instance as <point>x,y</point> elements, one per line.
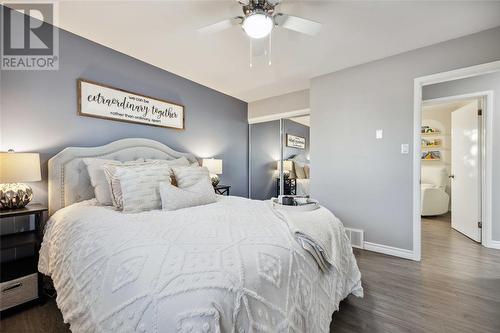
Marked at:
<point>264,152</point>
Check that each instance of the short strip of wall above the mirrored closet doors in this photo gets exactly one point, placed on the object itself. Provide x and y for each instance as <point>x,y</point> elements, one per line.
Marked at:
<point>298,100</point>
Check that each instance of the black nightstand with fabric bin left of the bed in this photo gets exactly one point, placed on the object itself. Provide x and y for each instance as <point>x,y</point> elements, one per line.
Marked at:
<point>21,237</point>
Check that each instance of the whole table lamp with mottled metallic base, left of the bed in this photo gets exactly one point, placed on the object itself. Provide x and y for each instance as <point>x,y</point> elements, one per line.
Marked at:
<point>14,169</point>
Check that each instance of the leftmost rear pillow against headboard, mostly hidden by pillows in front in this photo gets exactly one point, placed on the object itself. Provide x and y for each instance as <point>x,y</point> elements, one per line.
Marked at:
<point>98,179</point>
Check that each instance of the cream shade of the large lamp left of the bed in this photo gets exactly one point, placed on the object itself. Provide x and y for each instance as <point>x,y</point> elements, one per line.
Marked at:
<point>19,167</point>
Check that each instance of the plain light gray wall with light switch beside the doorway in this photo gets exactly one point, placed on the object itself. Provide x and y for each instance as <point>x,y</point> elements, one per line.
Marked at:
<point>366,182</point>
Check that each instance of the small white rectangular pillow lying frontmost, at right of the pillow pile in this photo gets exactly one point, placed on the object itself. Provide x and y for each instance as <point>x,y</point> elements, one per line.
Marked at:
<point>200,193</point>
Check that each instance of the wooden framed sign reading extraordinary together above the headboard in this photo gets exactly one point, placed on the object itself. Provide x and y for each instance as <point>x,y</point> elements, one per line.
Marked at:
<point>101,101</point>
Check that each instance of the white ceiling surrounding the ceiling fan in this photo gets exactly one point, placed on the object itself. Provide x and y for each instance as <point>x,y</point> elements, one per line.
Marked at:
<point>163,33</point>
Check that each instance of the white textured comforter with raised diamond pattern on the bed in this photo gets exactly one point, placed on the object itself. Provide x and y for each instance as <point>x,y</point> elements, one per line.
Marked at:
<point>232,266</point>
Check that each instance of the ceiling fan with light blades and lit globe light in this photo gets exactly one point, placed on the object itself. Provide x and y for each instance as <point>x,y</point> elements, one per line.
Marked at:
<point>260,17</point>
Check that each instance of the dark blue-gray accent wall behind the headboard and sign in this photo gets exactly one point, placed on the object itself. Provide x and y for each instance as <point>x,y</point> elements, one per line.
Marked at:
<point>39,111</point>
